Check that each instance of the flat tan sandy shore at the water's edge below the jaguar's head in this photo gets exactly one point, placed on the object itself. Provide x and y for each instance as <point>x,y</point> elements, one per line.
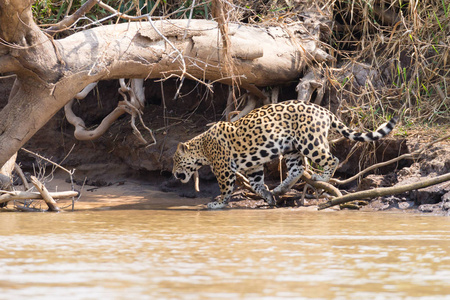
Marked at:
<point>129,194</point>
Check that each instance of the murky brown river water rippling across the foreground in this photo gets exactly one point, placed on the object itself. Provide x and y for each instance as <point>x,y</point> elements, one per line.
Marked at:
<point>232,254</point>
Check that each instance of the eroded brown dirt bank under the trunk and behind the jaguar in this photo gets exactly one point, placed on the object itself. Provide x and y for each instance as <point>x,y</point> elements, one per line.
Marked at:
<point>119,172</point>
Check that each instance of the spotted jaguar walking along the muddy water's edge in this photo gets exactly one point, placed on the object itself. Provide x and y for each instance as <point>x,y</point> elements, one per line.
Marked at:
<point>293,129</point>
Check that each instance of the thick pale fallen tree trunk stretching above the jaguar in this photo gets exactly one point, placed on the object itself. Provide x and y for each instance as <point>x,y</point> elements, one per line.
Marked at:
<point>51,72</point>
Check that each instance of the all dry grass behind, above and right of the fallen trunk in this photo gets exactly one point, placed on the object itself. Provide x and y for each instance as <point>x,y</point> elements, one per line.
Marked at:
<point>393,57</point>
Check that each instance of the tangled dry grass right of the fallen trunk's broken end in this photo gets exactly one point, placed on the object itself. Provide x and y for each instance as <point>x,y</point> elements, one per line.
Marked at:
<point>405,52</point>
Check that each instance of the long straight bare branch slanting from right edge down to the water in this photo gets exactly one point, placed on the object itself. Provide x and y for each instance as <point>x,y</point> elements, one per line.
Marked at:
<point>369,194</point>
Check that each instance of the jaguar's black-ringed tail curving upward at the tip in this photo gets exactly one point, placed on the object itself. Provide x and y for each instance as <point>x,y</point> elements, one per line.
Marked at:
<point>382,131</point>
